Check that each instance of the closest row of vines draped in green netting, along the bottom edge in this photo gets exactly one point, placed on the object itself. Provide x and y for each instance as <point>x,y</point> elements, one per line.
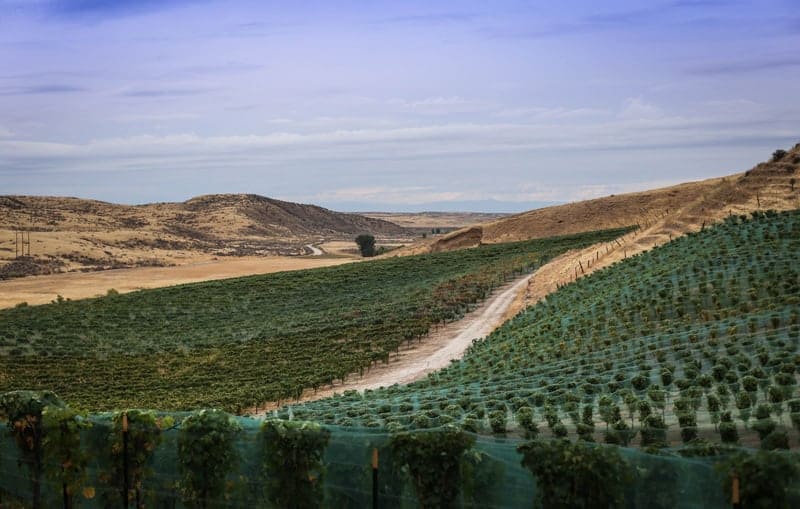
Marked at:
<point>211,459</point>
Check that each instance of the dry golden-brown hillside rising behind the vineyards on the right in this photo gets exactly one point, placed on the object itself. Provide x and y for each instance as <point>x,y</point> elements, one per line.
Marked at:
<point>664,213</point>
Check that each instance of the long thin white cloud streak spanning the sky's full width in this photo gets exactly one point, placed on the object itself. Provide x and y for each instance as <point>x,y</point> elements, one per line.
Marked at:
<point>397,143</point>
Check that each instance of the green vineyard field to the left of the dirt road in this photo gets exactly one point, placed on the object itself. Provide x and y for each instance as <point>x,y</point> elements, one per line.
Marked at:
<point>232,344</point>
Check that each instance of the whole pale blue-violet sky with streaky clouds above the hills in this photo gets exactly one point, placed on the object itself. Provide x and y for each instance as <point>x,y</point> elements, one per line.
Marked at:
<point>395,106</point>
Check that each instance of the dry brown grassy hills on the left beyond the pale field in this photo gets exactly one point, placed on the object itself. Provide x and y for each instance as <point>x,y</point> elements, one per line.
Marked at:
<point>69,234</point>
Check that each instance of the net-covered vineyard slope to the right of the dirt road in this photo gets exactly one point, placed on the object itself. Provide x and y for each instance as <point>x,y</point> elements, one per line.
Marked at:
<point>696,338</point>
